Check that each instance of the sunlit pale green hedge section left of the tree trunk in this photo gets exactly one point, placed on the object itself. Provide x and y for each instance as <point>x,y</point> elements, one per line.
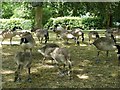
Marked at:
<point>10,23</point>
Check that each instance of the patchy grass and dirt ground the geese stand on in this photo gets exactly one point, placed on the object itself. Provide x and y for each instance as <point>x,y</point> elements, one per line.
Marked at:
<point>86,72</point>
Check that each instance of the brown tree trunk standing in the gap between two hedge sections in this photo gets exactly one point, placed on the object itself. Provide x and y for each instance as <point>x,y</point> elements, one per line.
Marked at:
<point>38,17</point>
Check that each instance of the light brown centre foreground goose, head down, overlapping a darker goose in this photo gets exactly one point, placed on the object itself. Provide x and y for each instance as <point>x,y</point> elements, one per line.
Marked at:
<point>62,59</point>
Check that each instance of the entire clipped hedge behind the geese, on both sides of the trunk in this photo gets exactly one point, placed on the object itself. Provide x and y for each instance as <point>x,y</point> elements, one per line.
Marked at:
<point>71,22</point>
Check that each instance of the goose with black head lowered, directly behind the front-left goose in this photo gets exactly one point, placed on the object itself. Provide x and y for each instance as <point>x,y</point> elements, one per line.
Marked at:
<point>27,41</point>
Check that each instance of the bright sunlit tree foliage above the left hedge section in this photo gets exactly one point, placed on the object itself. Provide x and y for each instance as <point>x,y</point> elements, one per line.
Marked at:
<point>16,10</point>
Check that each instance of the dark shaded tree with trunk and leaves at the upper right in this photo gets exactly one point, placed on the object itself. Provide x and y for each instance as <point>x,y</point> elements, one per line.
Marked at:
<point>105,10</point>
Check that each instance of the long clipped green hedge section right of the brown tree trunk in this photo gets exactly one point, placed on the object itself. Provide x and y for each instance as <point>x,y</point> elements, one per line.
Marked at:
<point>85,23</point>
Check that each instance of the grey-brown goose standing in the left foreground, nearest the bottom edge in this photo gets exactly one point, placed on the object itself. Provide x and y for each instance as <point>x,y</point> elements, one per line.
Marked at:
<point>22,59</point>
